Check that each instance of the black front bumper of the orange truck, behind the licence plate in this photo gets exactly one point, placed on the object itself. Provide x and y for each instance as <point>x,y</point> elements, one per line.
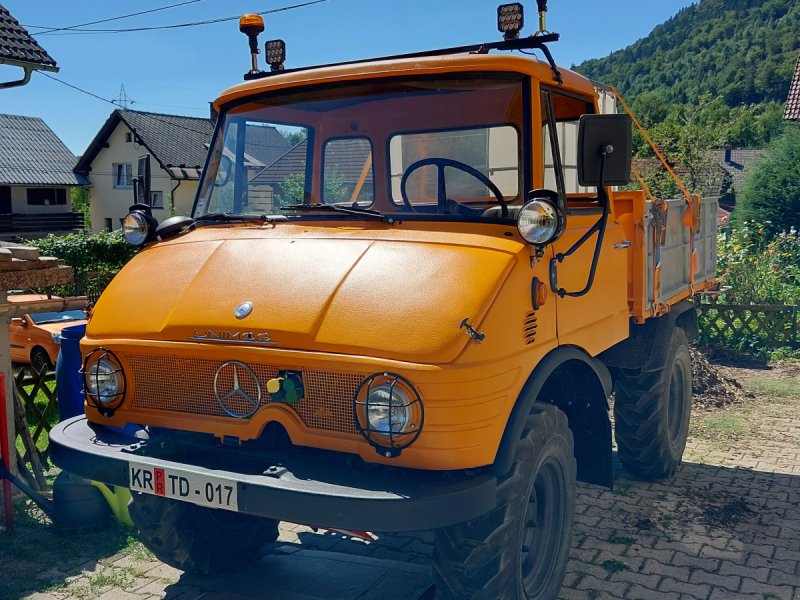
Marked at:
<point>322,489</point>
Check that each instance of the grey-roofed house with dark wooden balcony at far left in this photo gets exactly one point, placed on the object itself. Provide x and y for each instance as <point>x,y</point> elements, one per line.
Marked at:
<point>36,180</point>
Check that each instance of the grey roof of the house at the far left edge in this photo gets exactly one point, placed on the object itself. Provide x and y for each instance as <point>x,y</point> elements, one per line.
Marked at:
<point>30,153</point>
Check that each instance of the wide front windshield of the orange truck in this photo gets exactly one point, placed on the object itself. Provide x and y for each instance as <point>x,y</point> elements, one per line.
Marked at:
<point>426,148</point>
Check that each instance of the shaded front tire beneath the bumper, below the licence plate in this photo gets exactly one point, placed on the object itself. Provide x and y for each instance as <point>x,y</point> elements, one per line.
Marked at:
<point>198,539</point>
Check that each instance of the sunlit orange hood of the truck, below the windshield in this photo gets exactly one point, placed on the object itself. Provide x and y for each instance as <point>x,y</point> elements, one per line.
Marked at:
<point>392,294</point>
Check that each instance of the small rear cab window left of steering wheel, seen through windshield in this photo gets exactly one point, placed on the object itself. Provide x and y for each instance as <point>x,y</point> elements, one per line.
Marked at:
<point>348,175</point>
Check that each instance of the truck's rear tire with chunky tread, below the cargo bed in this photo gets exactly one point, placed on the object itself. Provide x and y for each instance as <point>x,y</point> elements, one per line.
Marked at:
<point>651,413</point>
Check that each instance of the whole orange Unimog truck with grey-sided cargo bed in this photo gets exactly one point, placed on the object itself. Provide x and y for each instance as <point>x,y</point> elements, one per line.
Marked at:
<point>412,317</point>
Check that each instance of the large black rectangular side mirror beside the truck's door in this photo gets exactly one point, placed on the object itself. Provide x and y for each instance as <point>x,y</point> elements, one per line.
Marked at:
<point>609,136</point>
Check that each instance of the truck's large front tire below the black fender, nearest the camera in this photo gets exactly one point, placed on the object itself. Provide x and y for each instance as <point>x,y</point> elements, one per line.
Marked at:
<point>520,549</point>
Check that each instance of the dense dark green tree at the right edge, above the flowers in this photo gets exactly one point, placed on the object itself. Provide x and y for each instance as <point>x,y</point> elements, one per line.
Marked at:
<point>771,193</point>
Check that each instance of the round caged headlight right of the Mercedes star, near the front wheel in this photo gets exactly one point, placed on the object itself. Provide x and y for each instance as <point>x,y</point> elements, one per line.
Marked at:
<point>388,413</point>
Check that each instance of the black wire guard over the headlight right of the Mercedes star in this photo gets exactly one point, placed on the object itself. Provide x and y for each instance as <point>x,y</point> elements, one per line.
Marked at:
<point>397,442</point>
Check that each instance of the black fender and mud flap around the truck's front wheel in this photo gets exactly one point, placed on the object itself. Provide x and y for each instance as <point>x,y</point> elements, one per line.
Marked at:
<point>589,423</point>
